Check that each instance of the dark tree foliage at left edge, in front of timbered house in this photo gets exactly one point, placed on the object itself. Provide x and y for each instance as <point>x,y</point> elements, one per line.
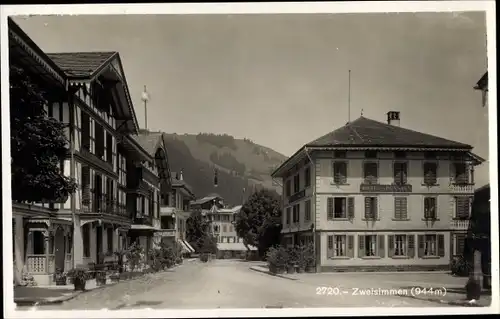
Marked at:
<point>38,144</point>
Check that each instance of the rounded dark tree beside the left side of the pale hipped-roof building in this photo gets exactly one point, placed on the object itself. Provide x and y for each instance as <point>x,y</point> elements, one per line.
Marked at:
<point>259,221</point>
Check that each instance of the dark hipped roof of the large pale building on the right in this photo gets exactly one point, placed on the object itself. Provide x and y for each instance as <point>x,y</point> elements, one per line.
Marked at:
<point>367,132</point>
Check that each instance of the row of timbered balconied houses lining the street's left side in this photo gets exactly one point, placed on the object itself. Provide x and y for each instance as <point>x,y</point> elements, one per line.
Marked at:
<point>126,192</point>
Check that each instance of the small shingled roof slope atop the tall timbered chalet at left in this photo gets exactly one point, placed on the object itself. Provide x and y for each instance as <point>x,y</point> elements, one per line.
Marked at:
<point>81,64</point>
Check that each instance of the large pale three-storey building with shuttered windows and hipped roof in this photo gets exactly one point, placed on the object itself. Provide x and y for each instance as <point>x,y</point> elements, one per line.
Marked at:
<point>376,196</point>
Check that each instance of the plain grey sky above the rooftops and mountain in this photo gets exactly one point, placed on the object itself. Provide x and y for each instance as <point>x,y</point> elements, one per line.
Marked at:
<point>282,80</point>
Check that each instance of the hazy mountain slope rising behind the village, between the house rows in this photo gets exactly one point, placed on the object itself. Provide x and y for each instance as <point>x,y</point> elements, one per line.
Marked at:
<point>242,164</point>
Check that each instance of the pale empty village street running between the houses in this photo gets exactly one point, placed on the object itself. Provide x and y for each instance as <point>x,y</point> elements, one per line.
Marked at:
<point>232,284</point>
